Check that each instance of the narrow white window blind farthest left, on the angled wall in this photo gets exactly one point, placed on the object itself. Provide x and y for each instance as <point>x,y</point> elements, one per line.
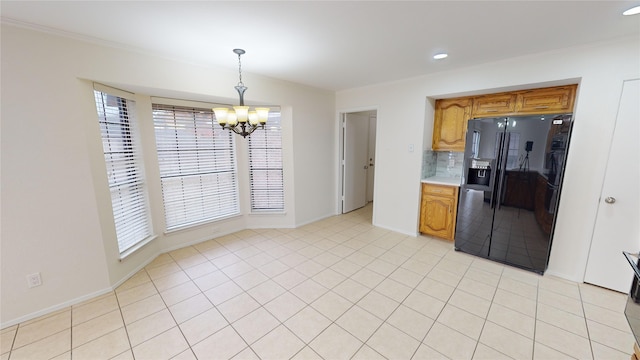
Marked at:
<point>119,133</point>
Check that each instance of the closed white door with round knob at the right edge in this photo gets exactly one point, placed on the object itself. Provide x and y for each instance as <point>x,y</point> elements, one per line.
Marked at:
<point>616,227</point>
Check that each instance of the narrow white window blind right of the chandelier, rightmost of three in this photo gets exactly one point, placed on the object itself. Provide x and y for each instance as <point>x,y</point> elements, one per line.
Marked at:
<point>265,165</point>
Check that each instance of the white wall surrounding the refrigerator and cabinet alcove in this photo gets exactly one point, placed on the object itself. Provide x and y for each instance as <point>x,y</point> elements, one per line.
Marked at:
<point>405,116</point>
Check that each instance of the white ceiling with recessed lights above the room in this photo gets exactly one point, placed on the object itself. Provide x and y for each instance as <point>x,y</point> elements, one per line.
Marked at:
<point>333,45</point>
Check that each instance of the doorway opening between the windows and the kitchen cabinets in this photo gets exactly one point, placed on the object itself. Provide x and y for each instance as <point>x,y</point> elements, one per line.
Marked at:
<point>358,135</point>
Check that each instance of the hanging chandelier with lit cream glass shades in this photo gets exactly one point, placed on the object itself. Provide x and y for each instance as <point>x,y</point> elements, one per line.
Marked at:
<point>241,119</point>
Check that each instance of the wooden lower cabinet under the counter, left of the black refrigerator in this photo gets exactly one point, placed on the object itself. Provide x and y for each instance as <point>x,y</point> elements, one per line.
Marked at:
<point>438,209</point>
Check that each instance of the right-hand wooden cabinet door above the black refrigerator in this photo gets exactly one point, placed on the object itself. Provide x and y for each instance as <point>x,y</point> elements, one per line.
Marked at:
<point>546,100</point>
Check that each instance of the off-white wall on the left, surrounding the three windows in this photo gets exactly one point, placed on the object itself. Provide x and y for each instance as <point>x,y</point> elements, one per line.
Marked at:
<point>56,215</point>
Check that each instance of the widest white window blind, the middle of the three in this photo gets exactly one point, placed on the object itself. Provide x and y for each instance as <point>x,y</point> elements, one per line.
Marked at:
<point>197,166</point>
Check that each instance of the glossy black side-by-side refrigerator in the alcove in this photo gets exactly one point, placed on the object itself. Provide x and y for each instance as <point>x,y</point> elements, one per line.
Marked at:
<point>511,183</point>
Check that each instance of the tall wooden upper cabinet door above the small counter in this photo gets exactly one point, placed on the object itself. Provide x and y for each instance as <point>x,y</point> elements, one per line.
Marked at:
<point>450,123</point>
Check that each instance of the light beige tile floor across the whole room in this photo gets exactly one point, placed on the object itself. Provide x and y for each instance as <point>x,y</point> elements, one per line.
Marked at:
<point>339,288</point>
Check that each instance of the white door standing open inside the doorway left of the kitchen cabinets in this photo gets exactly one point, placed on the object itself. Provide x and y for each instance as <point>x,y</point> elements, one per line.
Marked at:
<point>356,137</point>
